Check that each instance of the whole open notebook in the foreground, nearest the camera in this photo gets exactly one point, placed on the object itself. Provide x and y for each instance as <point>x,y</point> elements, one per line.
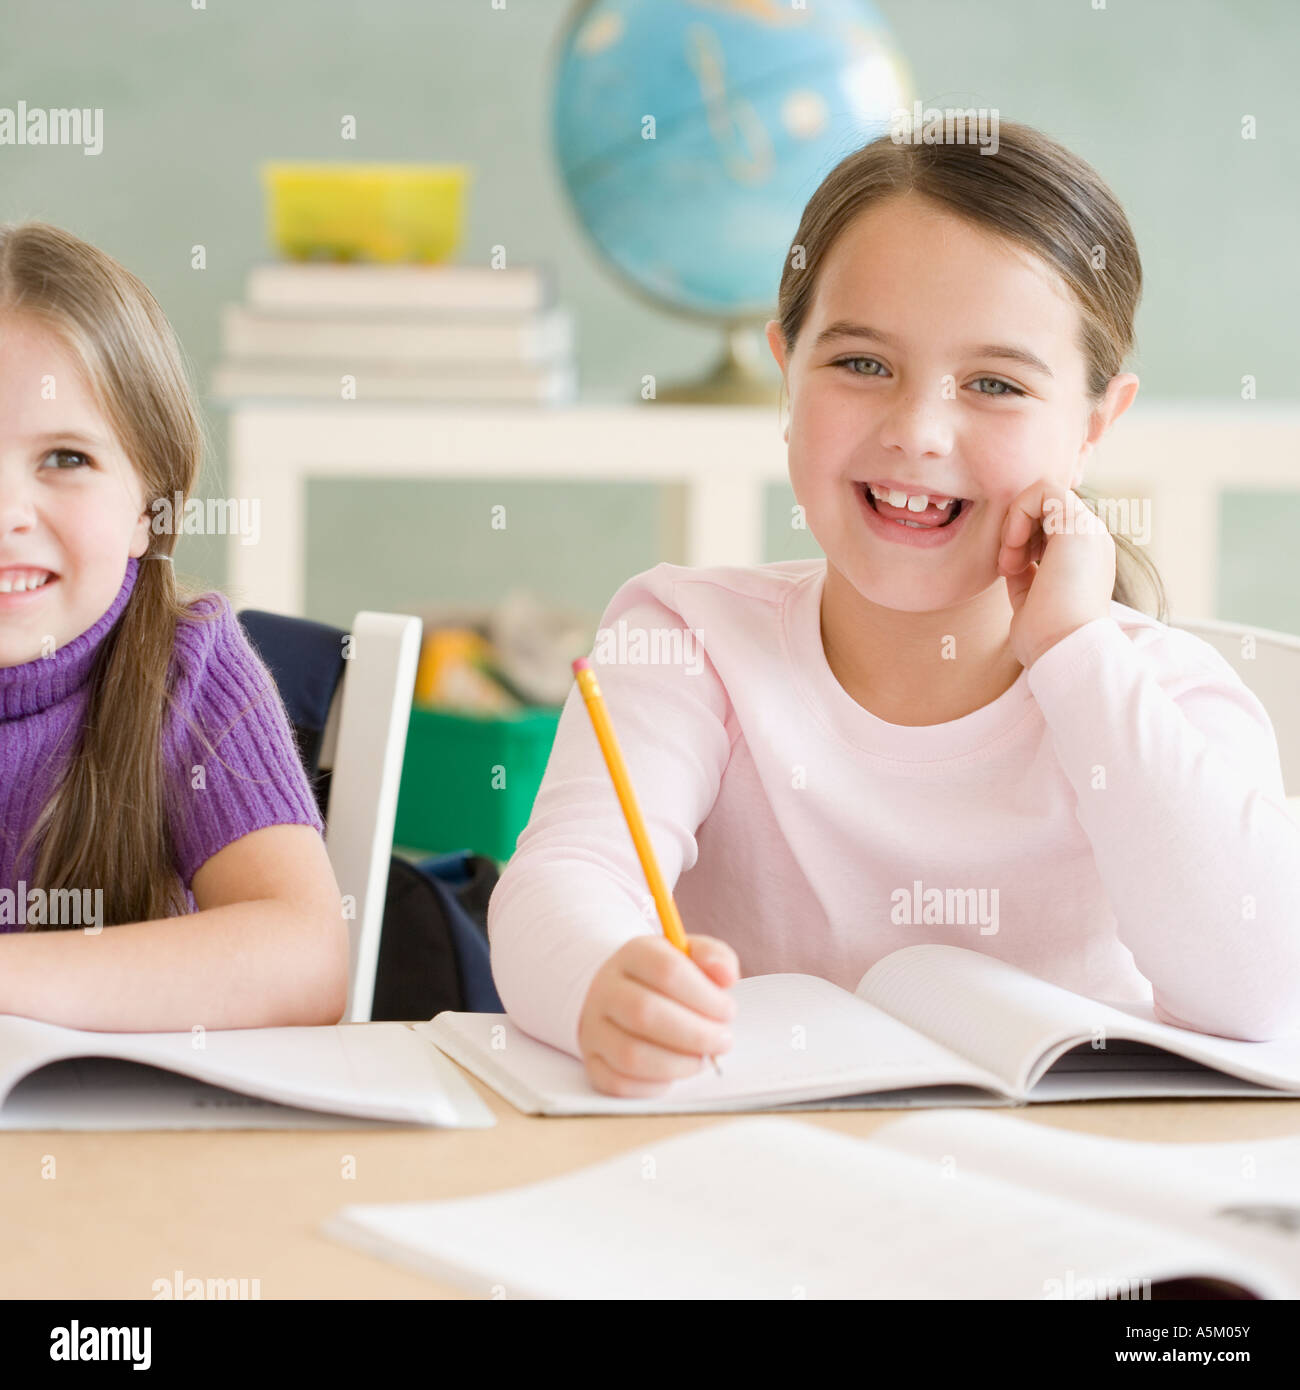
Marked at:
<point>939,1206</point>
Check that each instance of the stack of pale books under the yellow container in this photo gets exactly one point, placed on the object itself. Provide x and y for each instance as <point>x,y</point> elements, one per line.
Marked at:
<point>457,334</point>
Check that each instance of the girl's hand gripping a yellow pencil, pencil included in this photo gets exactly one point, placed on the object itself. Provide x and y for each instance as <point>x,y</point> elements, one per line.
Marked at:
<point>660,1003</point>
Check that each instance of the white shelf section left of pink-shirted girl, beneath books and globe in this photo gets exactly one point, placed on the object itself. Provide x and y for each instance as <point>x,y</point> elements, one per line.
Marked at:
<point>722,457</point>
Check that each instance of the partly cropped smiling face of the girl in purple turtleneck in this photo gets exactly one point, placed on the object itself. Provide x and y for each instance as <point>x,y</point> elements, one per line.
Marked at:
<point>72,504</point>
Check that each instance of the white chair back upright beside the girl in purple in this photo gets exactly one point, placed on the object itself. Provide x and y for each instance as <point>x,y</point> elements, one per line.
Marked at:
<point>364,746</point>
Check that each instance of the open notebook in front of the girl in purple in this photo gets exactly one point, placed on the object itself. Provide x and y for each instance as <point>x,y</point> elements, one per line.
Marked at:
<point>351,1075</point>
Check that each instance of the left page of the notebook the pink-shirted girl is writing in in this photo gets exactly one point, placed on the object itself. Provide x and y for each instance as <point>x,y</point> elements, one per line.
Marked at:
<point>797,1036</point>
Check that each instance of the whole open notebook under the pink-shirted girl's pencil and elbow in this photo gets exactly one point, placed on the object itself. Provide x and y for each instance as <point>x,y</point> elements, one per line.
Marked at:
<point>929,1025</point>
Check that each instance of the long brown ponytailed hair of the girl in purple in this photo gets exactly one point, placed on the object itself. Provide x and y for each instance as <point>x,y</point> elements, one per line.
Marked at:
<point>106,824</point>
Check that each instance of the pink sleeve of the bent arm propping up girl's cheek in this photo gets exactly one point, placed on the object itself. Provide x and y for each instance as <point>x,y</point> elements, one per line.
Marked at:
<point>1194,844</point>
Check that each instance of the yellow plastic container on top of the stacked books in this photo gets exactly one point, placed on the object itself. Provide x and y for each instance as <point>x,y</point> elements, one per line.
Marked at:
<point>366,212</point>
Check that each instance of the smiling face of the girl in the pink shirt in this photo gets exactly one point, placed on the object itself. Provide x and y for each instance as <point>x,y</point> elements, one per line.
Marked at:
<point>938,357</point>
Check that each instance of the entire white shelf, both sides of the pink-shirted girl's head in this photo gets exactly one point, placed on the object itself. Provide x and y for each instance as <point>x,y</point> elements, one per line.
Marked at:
<point>1180,457</point>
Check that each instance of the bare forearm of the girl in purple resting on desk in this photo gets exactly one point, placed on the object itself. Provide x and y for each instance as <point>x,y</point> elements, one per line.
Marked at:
<point>258,964</point>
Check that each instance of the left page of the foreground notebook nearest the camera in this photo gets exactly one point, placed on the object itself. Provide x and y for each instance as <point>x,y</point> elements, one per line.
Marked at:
<point>770,1209</point>
